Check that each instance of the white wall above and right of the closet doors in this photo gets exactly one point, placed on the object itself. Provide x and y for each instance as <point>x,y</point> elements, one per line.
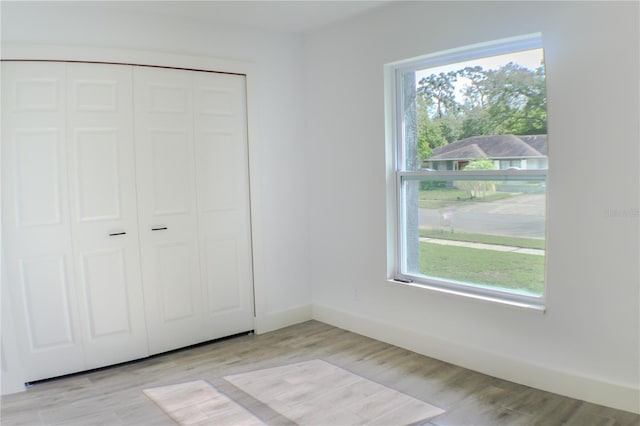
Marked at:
<point>279,188</point>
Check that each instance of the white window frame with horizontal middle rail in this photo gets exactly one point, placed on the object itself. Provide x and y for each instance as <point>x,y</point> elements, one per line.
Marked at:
<point>396,174</point>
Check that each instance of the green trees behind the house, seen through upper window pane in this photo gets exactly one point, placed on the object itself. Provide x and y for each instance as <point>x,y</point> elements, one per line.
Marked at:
<point>509,100</point>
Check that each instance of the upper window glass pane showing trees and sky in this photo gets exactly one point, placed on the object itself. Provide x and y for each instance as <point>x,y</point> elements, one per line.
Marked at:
<point>497,95</point>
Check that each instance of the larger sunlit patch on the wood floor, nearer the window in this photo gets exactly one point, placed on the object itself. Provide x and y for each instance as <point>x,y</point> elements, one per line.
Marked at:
<point>318,393</point>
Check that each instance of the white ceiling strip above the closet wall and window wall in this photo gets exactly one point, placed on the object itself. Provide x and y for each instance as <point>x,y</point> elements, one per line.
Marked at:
<point>282,16</point>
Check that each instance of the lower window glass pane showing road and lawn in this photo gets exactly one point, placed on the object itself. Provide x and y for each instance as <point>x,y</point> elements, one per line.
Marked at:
<point>487,231</point>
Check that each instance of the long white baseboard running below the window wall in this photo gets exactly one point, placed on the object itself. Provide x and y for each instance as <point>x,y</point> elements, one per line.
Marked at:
<point>576,386</point>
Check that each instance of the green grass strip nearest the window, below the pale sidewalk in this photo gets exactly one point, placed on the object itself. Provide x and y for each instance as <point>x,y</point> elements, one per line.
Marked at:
<point>515,271</point>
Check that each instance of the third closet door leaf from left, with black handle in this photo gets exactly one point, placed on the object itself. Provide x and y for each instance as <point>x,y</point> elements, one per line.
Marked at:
<point>167,207</point>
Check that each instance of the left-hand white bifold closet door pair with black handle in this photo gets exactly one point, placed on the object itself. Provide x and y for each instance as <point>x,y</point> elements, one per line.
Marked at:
<point>68,176</point>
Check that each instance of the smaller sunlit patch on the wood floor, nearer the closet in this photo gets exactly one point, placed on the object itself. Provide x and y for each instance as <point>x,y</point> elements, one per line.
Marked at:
<point>199,403</point>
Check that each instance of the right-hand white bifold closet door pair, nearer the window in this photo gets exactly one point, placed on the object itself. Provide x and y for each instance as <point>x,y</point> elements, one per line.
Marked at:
<point>193,198</point>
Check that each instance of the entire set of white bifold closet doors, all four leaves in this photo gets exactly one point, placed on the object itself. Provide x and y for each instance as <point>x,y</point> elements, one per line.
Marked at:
<point>126,226</point>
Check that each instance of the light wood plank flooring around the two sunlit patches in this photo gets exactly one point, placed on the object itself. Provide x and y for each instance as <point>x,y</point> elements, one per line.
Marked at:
<point>114,396</point>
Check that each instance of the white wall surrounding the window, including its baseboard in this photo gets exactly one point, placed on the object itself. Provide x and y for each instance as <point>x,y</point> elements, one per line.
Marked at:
<point>587,345</point>
